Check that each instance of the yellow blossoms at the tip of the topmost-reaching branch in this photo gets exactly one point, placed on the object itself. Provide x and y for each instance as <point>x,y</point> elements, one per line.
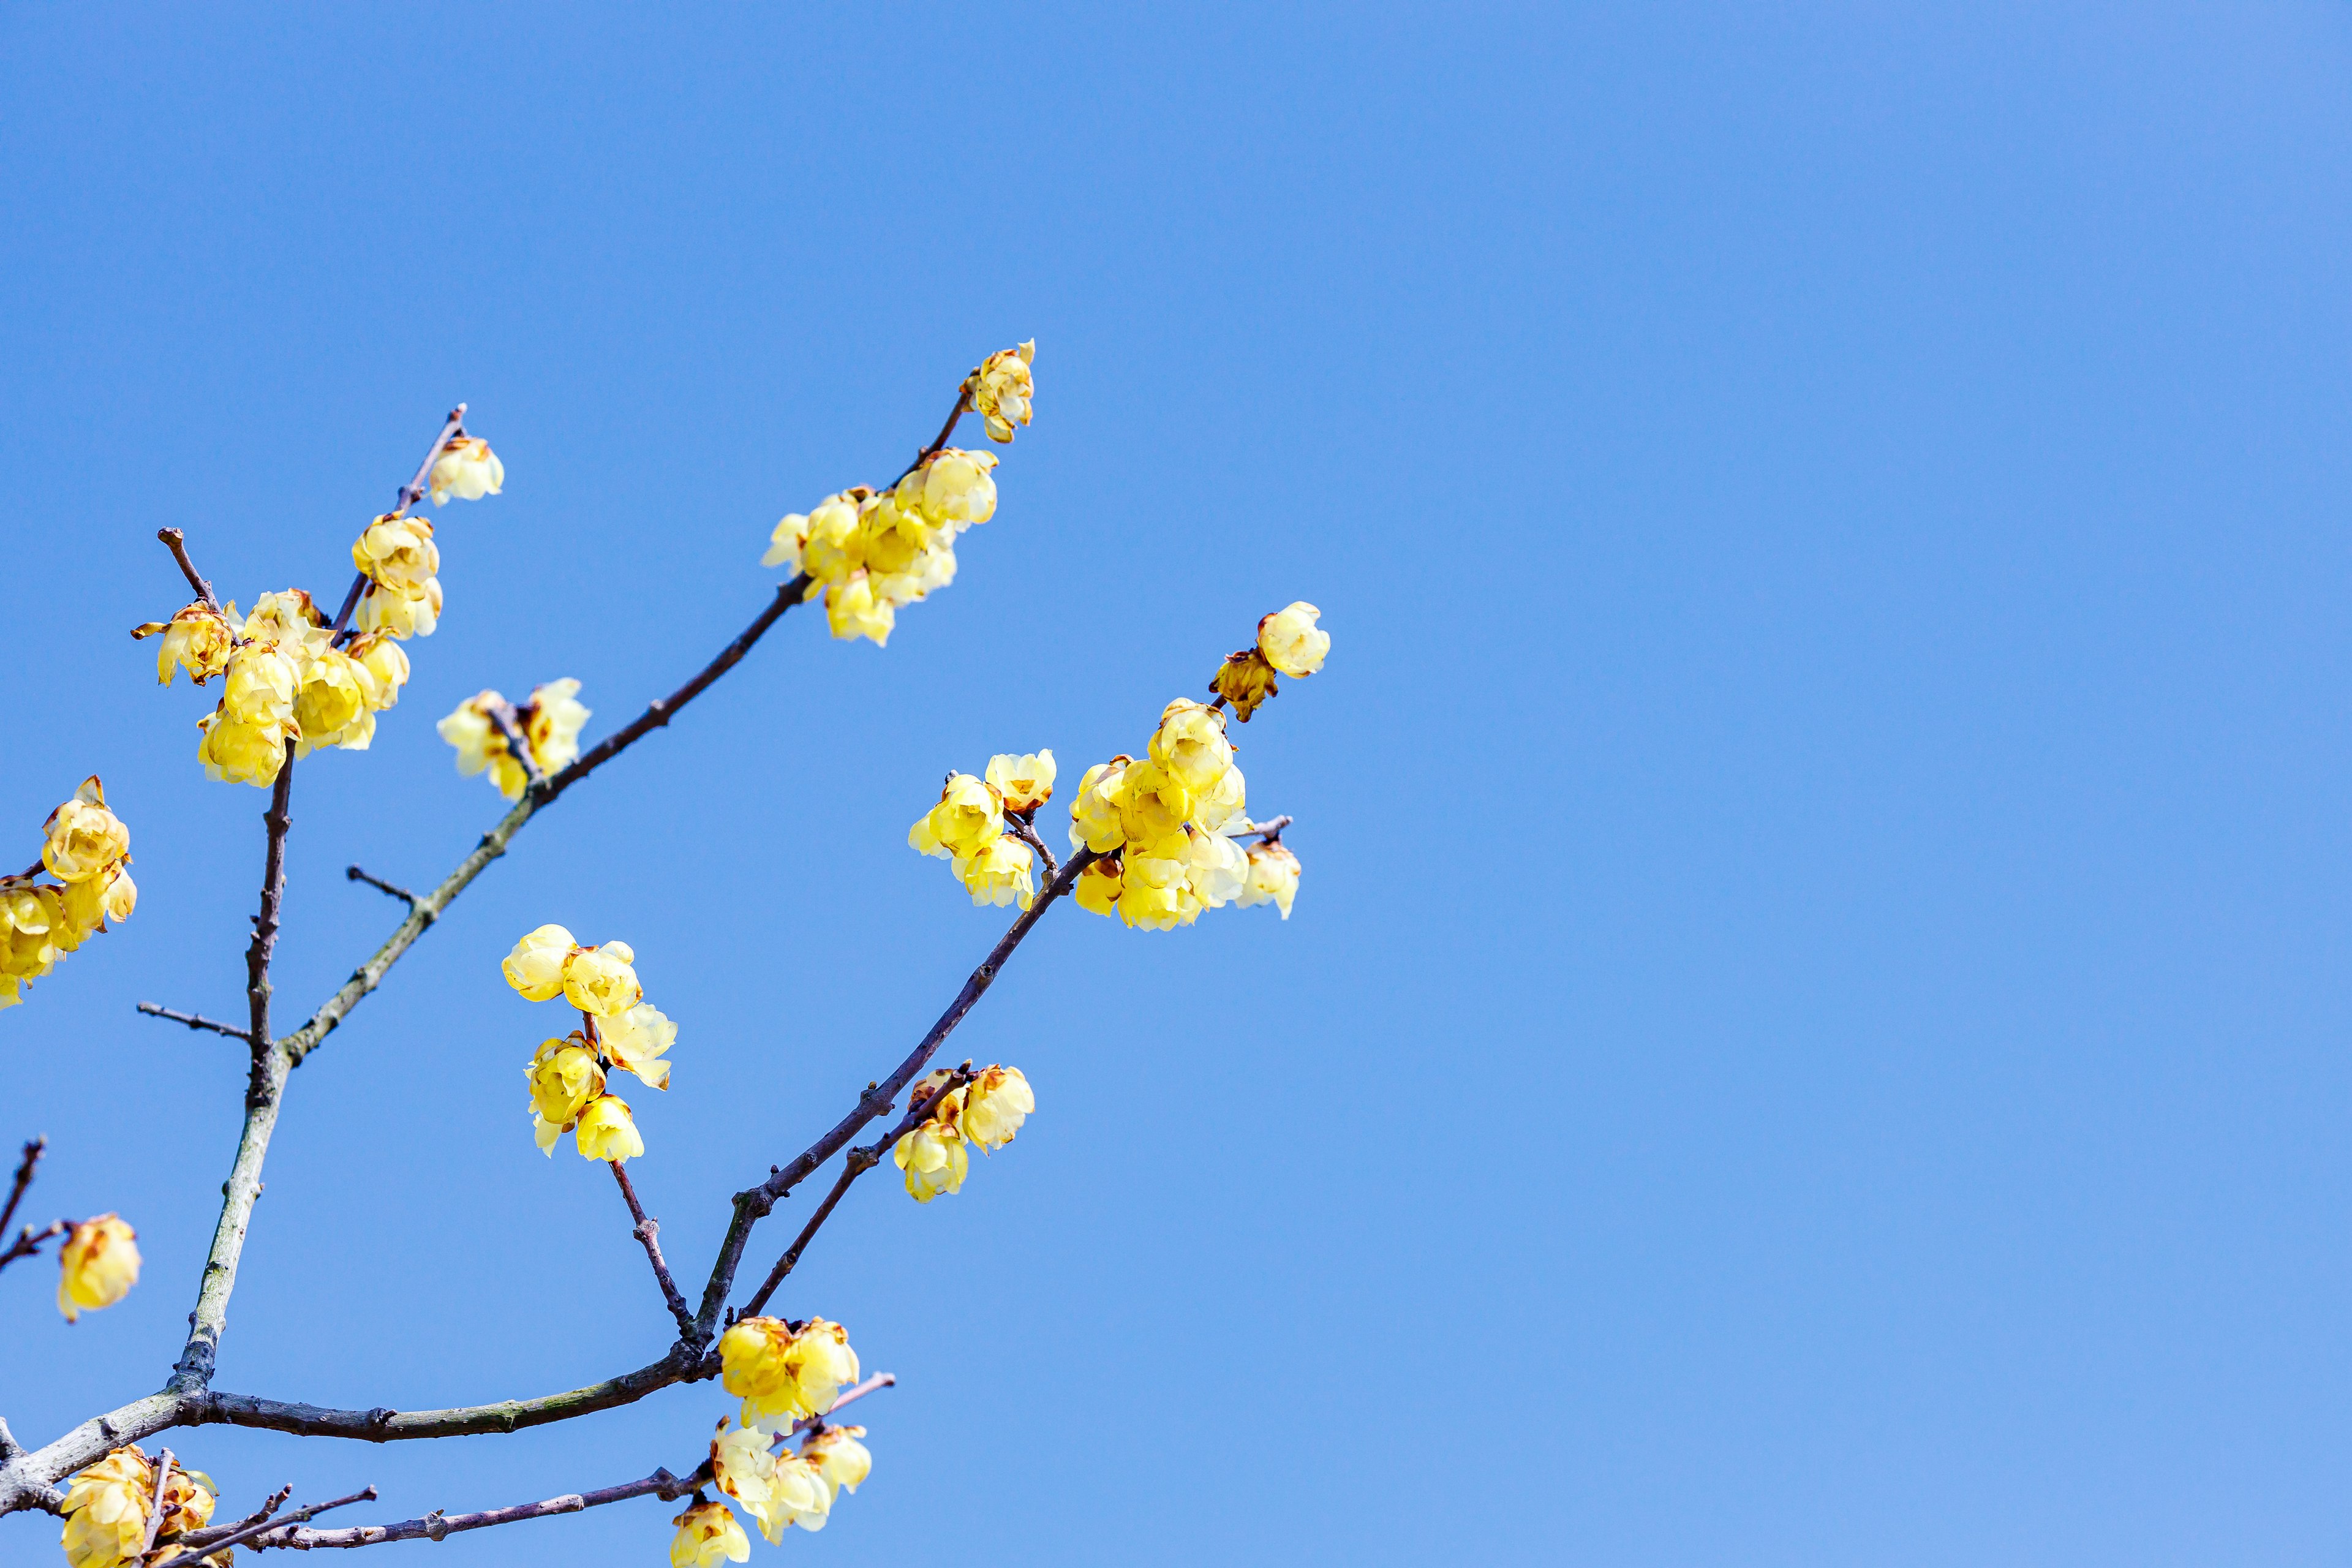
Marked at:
<point>871,551</point>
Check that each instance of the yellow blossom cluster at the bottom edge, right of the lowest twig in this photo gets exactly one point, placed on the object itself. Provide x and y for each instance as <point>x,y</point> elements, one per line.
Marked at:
<point>784,1374</point>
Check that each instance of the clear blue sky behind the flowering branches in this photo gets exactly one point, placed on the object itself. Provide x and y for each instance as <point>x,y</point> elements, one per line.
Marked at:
<point>1815,1024</point>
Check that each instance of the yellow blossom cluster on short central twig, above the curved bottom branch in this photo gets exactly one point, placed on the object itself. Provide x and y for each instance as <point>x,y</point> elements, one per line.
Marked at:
<point>620,1033</point>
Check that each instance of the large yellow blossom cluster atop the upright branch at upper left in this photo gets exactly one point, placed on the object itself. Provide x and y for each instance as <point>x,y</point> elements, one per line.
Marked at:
<point>295,683</point>
